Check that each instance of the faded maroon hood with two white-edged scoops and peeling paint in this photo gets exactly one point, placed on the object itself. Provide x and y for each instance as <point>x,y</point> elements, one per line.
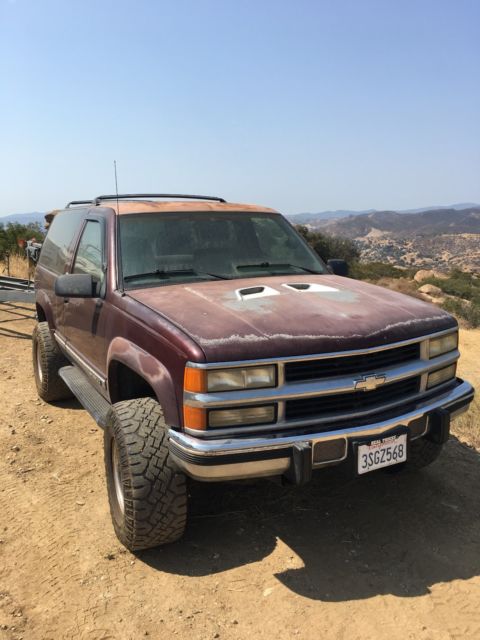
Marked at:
<point>291,315</point>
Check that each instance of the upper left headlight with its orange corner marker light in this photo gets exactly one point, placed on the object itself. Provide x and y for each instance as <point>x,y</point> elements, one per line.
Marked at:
<point>235,378</point>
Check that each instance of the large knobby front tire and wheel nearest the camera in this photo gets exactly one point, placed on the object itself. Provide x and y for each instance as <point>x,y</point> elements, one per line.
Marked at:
<point>146,492</point>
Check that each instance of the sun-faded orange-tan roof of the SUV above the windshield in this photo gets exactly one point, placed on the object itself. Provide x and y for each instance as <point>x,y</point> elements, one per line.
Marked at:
<point>147,206</point>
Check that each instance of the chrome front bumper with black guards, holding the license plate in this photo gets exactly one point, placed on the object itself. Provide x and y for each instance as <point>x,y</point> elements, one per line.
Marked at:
<point>296,454</point>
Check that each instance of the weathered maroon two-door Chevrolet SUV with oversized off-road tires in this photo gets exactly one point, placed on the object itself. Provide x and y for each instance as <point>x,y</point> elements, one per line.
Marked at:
<point>210,342</point>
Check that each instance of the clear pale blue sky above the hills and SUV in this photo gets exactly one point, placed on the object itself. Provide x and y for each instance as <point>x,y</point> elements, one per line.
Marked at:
<point>304,106</point>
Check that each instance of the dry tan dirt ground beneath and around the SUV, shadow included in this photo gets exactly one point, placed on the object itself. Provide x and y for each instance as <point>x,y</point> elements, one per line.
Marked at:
<point>390,556</point>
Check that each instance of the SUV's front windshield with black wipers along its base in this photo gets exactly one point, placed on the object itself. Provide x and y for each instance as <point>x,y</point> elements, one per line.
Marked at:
<point>167,248</point>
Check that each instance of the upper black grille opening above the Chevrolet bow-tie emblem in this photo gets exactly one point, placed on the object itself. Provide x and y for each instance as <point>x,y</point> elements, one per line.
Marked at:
<point>345,365</point>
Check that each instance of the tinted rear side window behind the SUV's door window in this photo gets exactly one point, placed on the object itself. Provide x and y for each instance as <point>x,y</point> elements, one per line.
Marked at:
<point>56,248</point>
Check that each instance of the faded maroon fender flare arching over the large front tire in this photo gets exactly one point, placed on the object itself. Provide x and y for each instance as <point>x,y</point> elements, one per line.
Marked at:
<point>151,370</point>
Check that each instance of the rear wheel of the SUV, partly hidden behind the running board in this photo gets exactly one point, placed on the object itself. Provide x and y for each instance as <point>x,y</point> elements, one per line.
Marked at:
<point>47,360</point>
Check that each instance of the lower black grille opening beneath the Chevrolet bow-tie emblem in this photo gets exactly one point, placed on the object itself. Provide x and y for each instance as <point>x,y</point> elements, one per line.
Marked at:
<point>351,402</point>
